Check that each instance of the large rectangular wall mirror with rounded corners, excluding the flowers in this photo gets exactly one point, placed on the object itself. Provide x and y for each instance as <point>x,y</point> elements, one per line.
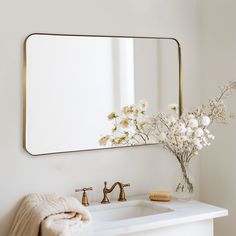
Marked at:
<point>72,83</point>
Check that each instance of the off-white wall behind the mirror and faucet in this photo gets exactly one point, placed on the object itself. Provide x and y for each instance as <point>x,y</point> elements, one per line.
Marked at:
<point>146,168</point>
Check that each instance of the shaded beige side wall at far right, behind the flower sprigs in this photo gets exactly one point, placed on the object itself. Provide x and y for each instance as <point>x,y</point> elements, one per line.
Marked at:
<point>218,61</point>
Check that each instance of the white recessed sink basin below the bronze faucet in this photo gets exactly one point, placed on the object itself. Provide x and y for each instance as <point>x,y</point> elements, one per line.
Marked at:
<point>126,210</point>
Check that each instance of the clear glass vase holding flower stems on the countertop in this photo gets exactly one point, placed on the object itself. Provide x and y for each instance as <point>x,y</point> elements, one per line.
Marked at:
<point>184,188</point>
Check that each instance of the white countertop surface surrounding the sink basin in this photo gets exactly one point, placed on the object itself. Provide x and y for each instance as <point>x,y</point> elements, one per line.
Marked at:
<point>183,212</point>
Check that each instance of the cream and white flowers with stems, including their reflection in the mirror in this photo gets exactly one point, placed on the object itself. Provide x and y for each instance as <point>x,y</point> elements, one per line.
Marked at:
<point>184,136</point>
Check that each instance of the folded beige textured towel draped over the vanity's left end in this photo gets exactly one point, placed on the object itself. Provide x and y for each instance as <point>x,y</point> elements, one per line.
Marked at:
<point>49,215</point>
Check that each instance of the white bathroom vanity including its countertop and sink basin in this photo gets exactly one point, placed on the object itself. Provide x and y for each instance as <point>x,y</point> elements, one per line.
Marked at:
<point>140,216</point>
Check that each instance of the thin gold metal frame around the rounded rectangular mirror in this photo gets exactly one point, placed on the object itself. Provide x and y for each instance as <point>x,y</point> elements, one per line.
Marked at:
<point>180,103</point>
